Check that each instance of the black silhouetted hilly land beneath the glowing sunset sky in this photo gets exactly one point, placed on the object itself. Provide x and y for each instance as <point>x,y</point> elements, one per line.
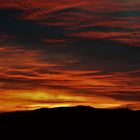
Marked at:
<point>70,123</point>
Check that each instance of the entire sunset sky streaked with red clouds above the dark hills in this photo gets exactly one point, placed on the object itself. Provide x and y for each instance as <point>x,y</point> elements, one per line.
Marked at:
<point>69,52</point>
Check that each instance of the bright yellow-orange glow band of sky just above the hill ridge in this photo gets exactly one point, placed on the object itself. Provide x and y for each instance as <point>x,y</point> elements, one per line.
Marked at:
<point>28,100</point>
